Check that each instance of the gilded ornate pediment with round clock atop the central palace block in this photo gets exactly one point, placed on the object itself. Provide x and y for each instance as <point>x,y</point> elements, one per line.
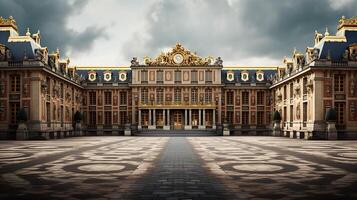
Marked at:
<point>181,56</point>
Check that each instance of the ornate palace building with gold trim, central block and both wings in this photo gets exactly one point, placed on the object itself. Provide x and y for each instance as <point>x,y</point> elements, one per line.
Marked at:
<point>178,90</point>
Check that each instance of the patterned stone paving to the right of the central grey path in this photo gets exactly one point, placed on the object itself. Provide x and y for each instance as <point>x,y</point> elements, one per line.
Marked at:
<point>280,168</point>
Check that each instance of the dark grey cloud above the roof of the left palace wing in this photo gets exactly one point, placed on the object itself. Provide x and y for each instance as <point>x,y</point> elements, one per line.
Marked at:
<point>51,17</point>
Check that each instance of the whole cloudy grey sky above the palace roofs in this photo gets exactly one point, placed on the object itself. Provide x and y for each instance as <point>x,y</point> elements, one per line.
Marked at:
<point>242,32</point>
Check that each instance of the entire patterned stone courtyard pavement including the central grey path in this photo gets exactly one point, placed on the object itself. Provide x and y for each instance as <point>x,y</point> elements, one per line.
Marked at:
<point>178,168</point>
